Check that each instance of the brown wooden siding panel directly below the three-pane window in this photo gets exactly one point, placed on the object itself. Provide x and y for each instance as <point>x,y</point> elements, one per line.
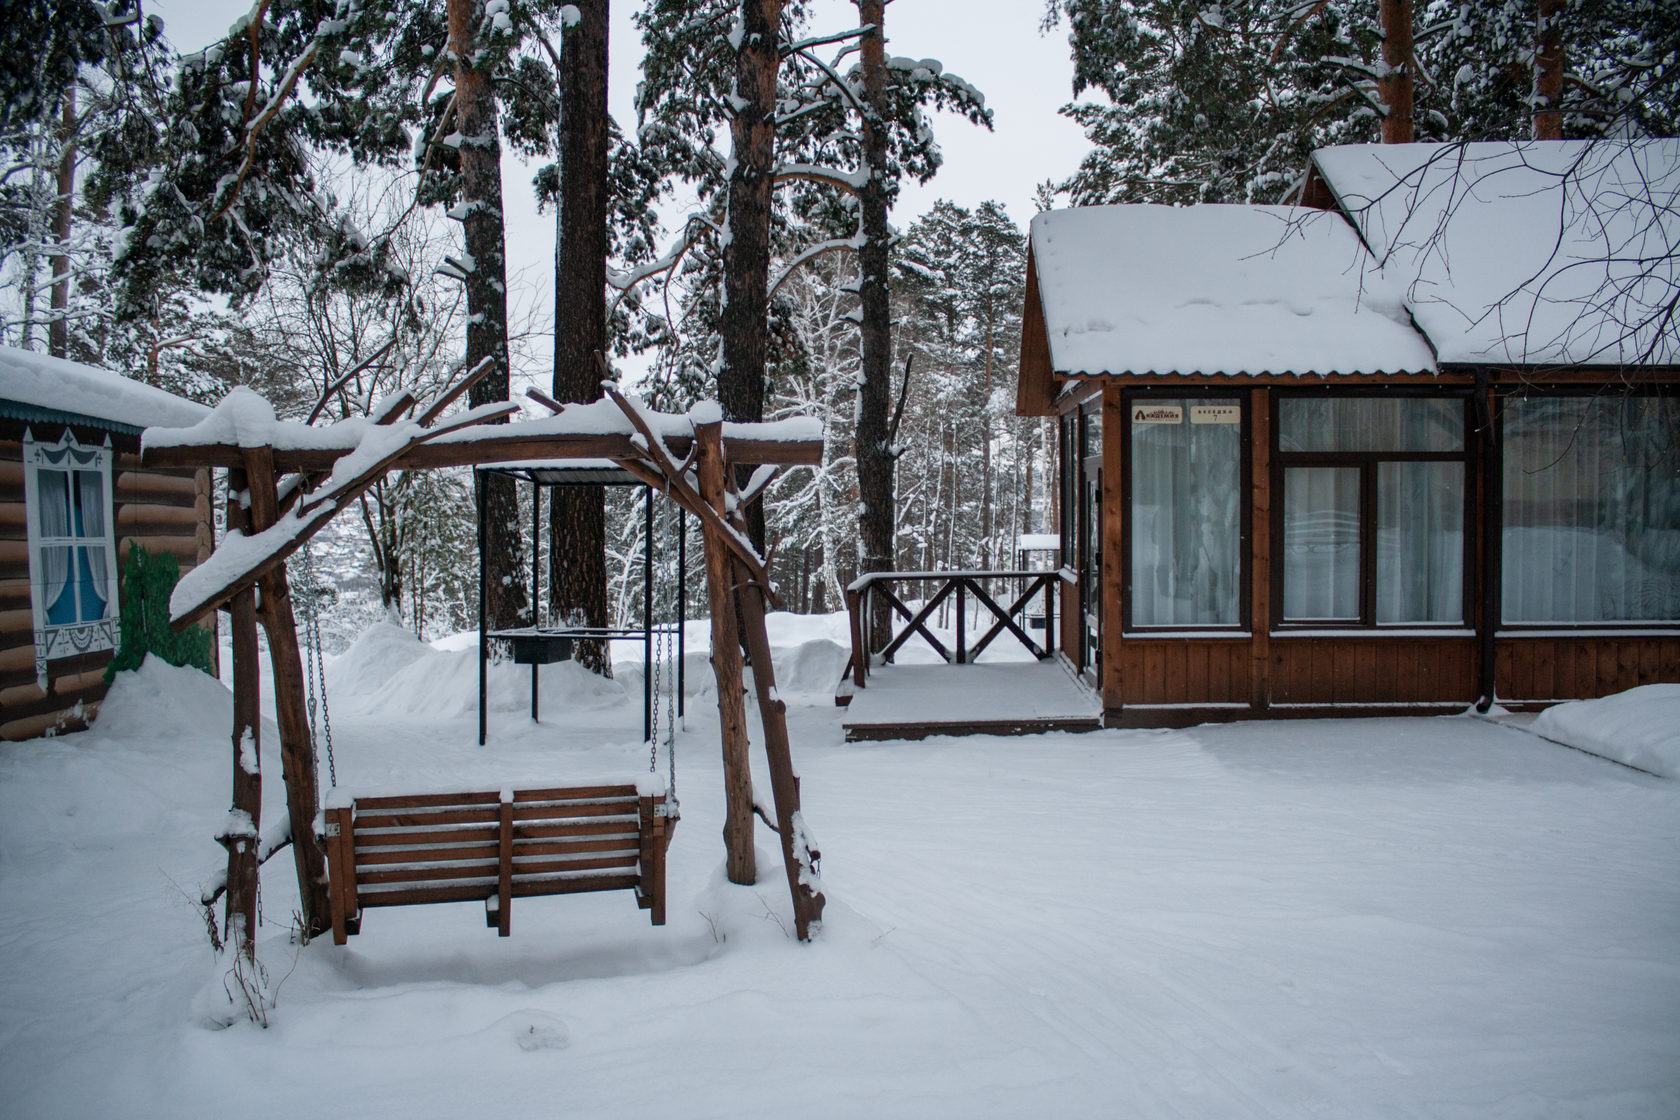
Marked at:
<point>1372,671</point>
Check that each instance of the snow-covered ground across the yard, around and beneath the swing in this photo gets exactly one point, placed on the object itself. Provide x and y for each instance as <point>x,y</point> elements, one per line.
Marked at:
<point>1429,918</point>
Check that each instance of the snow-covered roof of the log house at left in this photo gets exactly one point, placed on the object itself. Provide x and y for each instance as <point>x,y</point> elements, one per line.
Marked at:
<point>53,389</point>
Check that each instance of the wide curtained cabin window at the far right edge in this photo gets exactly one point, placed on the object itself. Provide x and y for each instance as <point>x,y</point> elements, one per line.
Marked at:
<point>1592,510</point>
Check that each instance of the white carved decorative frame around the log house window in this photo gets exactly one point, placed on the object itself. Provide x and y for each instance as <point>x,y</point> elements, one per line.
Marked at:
<point>83,637</point>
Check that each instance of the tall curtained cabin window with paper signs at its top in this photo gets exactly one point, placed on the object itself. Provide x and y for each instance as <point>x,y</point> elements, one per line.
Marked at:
<point>1187,505</point>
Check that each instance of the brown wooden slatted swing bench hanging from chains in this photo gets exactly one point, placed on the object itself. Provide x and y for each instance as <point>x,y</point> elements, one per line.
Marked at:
<point>495,847</point>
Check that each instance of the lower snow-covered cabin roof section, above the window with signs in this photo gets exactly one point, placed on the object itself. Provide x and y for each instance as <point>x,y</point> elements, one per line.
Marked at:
<point>1217,290</point>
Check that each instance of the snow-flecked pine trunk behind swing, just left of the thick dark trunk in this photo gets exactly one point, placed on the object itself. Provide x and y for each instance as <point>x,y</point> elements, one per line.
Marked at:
<point>481,187</point>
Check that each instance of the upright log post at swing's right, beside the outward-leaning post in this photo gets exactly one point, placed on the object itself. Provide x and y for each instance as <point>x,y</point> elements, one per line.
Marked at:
<point>727,666</point>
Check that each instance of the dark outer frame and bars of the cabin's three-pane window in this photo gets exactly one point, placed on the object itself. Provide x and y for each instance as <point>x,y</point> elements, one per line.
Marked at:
<point>1368,466</point>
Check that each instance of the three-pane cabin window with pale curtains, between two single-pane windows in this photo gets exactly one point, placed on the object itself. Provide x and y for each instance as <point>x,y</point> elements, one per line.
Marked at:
<point>1372,523</point>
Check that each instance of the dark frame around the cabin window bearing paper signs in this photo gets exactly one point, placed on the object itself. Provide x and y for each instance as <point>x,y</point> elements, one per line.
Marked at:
<point>1202,395</point>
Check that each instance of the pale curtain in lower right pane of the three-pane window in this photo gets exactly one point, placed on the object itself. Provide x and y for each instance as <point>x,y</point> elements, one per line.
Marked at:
<point>1420,547</point>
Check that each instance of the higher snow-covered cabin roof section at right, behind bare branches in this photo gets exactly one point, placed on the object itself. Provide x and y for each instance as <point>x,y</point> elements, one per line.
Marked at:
<point>1543,253</point>
